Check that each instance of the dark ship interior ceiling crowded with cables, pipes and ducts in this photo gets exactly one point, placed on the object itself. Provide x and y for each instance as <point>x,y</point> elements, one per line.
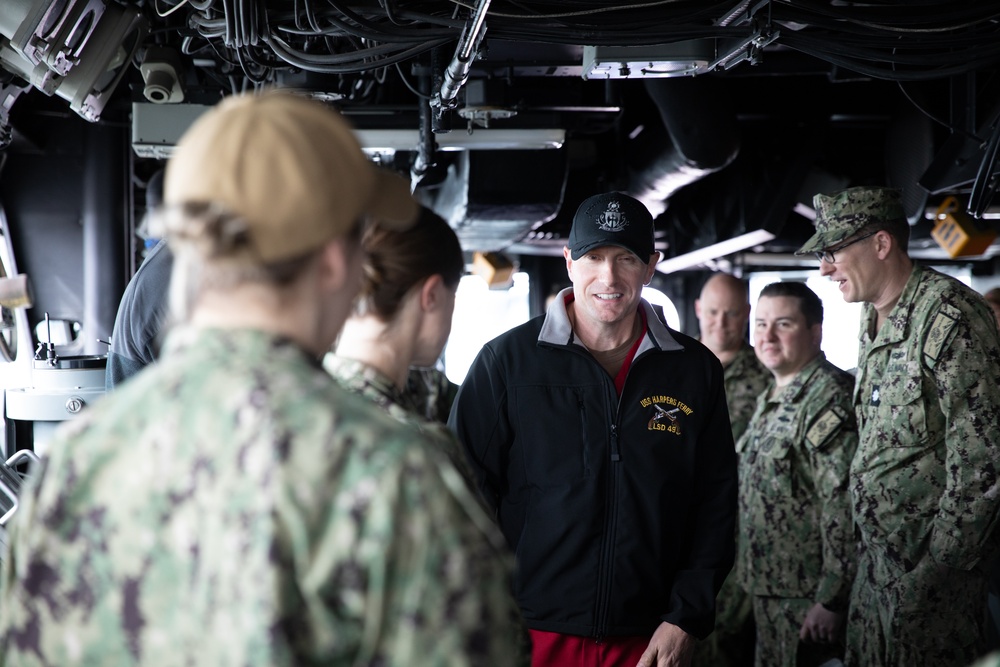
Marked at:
<point>723,117</point>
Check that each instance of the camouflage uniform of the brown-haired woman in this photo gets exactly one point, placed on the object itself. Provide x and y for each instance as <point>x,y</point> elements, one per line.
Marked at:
<point>406,406</point>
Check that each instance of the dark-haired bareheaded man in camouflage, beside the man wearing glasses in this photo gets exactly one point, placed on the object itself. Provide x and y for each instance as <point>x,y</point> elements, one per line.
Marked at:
<point>796,543</point>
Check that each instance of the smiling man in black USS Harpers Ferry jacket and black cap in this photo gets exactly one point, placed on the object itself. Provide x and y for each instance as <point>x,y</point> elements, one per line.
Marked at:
<point>601,440</point>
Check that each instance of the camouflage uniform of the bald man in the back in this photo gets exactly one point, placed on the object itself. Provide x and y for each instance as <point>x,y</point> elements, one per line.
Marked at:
<point>731,644</point>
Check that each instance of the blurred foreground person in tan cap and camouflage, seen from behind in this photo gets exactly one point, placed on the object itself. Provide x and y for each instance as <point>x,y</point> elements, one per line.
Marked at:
<point>232,505</point>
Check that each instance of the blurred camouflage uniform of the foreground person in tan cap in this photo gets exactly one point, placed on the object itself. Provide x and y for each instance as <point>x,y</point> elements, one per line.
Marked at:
<point>233,506</point>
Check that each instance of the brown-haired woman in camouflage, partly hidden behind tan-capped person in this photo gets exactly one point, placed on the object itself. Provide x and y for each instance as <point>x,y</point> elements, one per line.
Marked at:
<point>401,322</point>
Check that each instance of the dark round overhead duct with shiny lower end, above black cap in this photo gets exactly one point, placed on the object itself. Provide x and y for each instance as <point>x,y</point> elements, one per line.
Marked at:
<point>699,136</point>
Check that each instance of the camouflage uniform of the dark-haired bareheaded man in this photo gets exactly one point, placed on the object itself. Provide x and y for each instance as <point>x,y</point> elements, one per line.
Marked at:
<point>796,543</point>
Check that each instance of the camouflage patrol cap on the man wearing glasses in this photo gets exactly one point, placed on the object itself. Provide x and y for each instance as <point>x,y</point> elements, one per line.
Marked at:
<point>844,213</point>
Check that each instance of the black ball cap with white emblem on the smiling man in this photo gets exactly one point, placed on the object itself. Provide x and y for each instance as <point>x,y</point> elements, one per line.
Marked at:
<point>615,219</point>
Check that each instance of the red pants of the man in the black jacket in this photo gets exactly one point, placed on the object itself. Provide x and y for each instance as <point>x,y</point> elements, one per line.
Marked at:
<point>550,649</point>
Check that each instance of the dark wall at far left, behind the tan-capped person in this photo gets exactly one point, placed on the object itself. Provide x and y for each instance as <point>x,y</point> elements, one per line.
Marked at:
<point>64,187</point>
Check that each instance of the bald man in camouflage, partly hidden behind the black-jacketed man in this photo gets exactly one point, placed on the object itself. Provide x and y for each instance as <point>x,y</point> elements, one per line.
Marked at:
<point>723,310</point>
